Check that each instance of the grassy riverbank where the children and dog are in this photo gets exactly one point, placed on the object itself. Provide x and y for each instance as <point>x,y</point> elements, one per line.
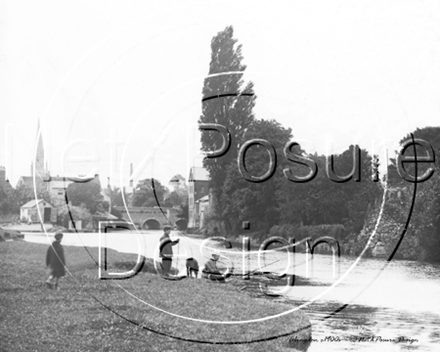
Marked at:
<point>79,316</point>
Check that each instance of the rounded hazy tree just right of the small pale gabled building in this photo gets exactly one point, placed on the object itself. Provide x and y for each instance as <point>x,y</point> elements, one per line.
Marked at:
<point>88,195</point>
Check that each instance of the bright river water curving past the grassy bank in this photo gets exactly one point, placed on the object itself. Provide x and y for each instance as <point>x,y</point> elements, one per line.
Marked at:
<point>354,304</point>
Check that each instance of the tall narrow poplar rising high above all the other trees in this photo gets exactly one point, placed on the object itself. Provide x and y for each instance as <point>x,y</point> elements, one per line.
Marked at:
<point>222,105</point>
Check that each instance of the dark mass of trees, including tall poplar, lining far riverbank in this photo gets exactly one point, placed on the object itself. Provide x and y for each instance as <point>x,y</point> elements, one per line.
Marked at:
<point>279,206</point>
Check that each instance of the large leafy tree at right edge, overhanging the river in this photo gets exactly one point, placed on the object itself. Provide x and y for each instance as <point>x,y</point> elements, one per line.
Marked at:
<point>422,240</point>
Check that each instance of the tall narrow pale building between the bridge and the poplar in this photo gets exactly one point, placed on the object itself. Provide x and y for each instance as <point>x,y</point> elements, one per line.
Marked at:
<point>198,188</point>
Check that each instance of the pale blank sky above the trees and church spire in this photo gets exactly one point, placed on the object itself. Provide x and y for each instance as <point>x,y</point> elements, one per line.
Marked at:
<point>120,82</point>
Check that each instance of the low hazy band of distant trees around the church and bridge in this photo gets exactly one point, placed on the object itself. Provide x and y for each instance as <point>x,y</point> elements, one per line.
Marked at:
<point>82,200</point>
